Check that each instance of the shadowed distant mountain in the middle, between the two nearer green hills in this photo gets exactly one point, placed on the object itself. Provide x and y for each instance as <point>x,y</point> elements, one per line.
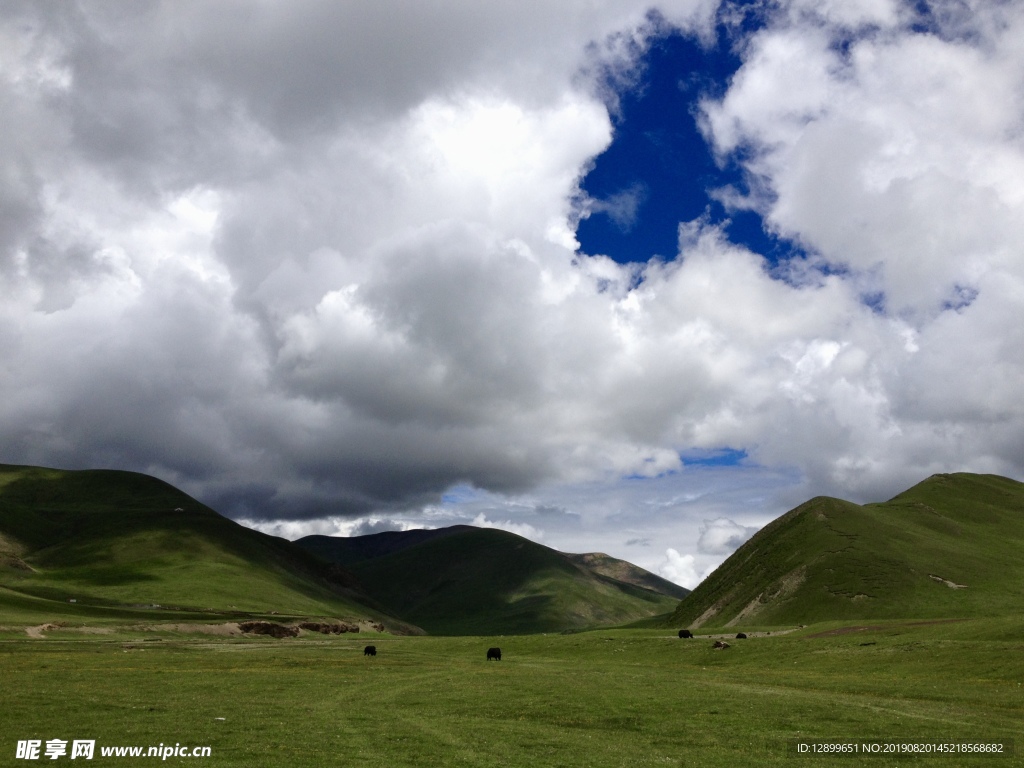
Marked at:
<point>468,581</point>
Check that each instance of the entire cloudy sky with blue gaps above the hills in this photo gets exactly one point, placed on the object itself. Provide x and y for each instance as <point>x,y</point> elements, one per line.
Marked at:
<point>620,277</point>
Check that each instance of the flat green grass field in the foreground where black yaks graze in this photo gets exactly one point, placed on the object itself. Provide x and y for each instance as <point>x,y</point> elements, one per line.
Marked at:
<point>616,698</point>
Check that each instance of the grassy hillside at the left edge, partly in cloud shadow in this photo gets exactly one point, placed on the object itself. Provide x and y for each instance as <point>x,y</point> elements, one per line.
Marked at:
<point>121,542</point>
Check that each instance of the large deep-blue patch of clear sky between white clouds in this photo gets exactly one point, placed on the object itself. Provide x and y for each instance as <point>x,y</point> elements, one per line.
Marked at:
<point>660,172</point>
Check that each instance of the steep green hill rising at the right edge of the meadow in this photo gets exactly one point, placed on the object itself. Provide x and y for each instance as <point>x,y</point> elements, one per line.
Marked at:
<point>952,546</point>
